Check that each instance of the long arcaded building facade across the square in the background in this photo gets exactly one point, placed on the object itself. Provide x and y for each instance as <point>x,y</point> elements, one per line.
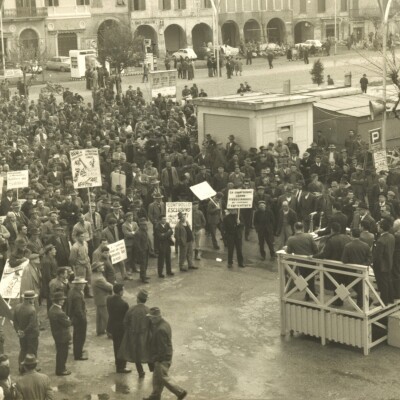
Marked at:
<point>53,27</point>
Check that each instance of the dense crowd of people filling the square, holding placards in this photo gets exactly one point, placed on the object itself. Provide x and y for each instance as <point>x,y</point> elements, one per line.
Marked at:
<point>58,237</point>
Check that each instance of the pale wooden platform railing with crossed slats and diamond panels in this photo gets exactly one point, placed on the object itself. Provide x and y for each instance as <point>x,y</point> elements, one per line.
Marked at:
<point>363,326</point>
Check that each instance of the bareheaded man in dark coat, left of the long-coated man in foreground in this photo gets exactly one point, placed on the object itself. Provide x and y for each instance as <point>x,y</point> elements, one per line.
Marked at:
<point>117,308</point>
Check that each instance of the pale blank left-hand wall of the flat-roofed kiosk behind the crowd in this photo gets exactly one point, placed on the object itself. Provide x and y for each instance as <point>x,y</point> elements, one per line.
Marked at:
<point>221,126</point>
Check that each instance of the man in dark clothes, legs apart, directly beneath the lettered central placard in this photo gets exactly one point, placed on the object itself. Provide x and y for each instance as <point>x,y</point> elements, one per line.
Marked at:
<point>233,229</point>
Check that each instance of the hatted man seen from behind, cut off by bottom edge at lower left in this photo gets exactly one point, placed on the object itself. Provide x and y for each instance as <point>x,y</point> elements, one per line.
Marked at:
<point>33,384</point>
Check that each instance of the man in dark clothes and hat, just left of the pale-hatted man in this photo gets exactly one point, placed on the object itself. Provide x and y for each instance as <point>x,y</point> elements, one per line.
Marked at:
<point>60,324</point>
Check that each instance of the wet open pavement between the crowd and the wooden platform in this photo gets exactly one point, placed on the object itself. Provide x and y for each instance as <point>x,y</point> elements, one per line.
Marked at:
<point>227,345</point>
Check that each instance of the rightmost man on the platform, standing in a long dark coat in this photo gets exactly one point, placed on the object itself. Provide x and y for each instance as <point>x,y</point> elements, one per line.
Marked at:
<point>383,261</point>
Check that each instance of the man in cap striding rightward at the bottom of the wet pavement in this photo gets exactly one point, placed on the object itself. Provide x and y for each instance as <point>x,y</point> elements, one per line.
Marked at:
<point>161,354</point>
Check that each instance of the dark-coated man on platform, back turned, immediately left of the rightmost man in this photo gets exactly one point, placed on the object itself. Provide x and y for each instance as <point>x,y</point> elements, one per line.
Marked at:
<point>357,252</point>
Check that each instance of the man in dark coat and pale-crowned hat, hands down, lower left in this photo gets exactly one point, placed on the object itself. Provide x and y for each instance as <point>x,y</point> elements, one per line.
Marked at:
<point>76,311</point>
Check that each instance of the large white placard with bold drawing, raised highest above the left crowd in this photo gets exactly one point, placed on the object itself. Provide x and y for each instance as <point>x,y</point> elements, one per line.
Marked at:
<point>85,165</point>
